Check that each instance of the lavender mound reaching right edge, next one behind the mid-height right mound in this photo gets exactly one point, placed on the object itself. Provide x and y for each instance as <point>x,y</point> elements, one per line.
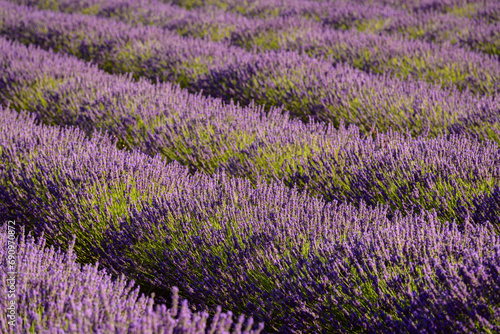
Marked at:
<point>310,88</point>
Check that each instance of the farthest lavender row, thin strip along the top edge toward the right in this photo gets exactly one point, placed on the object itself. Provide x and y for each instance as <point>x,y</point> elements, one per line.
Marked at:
<point>342,14</point>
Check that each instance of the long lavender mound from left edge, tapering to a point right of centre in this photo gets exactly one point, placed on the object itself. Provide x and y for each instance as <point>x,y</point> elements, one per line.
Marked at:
<point>202,133</point>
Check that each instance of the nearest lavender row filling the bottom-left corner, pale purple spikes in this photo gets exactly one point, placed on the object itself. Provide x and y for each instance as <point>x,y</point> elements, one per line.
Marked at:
<point>54,294</point>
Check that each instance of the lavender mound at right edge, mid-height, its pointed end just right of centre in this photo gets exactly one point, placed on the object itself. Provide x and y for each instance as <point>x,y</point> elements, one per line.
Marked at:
<point>456,176</point>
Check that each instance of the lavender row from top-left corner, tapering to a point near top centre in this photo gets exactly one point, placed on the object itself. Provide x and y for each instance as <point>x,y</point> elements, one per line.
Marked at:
<point>116,47</point>
